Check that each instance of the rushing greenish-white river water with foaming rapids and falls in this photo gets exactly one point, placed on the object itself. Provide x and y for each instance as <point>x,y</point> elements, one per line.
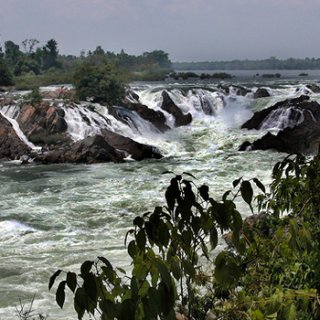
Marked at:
<point>57,216</point>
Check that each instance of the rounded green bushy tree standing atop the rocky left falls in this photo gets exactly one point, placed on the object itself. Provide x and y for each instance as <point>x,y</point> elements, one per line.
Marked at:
<point>96,79</point>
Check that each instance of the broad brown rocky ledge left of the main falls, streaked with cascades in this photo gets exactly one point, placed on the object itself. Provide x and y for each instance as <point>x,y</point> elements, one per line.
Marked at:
<point>45,125</point>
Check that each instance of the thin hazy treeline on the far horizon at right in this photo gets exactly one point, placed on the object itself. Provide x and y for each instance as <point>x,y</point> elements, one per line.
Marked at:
<point>271,63</point>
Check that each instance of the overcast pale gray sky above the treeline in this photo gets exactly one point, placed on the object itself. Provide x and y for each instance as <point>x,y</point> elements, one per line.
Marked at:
<point>189,30</point>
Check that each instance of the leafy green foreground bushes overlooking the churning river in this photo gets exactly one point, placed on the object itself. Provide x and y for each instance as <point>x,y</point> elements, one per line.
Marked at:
<point>269,270</point>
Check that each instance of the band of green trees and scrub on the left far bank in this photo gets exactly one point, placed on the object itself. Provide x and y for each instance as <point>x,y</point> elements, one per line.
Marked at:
<point>30,65</point>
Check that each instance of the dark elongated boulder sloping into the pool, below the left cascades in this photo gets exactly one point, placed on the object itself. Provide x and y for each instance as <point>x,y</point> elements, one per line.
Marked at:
<point>127,146</point>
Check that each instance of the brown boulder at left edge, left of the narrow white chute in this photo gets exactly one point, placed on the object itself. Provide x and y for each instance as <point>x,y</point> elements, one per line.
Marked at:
<point>11,146</point>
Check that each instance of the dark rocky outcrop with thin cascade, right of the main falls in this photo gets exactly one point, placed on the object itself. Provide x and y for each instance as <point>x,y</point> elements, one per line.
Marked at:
<point>299,131</point>
